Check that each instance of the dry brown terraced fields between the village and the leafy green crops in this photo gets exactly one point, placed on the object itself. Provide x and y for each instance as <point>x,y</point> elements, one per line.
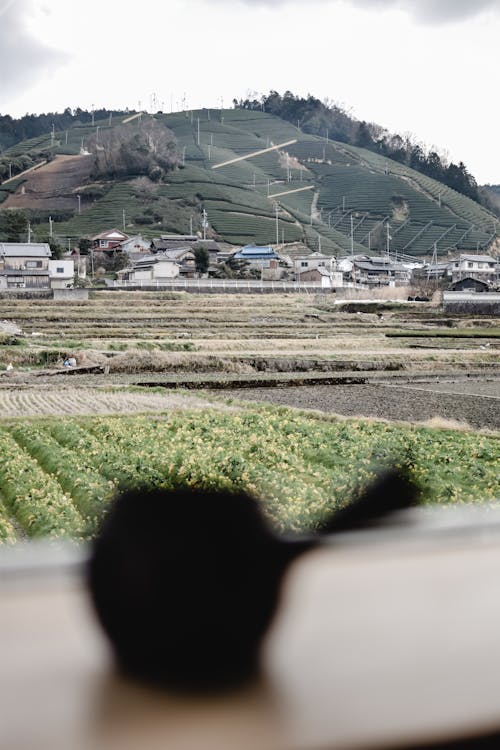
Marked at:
<point>136,333</point>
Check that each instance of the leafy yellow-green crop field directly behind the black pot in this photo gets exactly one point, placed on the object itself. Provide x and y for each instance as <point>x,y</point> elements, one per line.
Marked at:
<point>58,476</point>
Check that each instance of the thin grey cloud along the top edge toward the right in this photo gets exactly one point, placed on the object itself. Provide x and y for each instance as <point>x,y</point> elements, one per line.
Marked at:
<point>424,11</point>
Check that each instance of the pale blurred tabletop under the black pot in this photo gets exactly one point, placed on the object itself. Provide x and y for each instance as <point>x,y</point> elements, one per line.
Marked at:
<point>383,639</point>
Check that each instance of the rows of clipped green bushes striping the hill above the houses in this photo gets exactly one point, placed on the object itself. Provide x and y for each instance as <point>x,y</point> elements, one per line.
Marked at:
<point>343,177</point>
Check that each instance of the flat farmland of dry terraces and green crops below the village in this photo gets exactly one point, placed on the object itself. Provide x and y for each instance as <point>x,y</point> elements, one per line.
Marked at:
<point>69,440</point>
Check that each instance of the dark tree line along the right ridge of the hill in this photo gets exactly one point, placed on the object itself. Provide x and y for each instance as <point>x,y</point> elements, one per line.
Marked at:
<point>319,118</point>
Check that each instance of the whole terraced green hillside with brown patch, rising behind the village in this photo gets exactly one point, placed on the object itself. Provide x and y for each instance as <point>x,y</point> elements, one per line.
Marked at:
<point>339,189</point>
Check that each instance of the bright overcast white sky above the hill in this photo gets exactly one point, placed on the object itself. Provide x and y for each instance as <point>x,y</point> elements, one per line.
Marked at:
<point>429,68</point>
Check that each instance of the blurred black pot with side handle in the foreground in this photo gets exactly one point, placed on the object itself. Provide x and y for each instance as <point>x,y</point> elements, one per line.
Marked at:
<point>186,582</point>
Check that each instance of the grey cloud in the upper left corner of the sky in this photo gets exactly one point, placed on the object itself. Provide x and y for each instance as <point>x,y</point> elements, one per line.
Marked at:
<point>24,59</point>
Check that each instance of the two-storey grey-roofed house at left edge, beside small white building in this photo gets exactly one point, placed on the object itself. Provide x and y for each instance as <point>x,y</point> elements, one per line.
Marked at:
<point>24,265</point>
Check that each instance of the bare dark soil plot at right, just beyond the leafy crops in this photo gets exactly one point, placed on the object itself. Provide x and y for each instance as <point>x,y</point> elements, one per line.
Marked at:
<point>480,408</point>
